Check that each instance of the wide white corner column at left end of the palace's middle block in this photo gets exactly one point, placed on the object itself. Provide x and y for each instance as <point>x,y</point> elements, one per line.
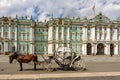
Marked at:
<point>50,45</point>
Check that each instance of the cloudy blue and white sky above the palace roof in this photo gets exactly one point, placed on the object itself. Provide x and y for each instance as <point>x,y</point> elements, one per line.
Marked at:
<point>44,9</point>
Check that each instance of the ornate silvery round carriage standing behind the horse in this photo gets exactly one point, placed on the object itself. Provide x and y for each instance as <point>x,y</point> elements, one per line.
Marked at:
<point>67,59</point>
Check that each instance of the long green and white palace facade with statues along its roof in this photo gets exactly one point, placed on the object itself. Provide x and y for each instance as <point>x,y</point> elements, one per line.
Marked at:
<point>98,36</point>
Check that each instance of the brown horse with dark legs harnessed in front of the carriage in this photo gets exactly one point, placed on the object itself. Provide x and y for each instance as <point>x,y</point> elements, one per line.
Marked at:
<point>23,59</point>
